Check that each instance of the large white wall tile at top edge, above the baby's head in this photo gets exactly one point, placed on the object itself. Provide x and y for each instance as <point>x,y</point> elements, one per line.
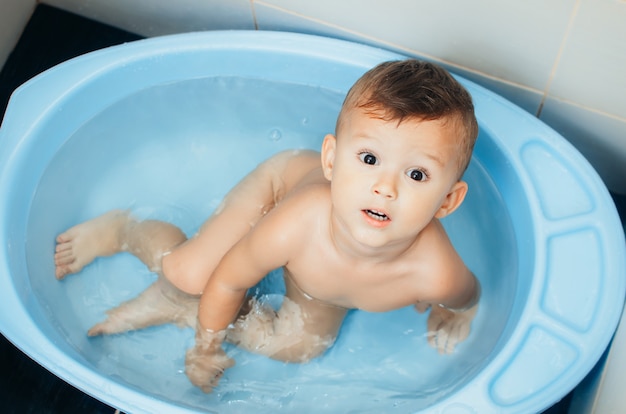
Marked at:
<point>512,40</point>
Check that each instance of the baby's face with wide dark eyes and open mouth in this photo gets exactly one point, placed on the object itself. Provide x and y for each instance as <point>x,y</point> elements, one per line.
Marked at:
<point>389,180</point>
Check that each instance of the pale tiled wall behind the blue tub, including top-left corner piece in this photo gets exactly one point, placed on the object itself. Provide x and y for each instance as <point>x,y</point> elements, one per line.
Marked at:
<point>563,60</point>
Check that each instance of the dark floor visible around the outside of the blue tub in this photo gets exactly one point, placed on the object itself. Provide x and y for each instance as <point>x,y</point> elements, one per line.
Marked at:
<point>53,36</point>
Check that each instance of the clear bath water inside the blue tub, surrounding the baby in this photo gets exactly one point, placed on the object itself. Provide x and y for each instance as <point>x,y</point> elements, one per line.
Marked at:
<point>171,152</point>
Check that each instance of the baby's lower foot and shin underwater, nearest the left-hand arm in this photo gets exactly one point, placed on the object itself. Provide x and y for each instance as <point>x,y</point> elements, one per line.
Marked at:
<point>160,303</point>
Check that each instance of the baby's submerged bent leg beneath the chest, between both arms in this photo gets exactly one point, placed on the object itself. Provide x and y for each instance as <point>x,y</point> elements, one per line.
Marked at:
<point>302,329</point>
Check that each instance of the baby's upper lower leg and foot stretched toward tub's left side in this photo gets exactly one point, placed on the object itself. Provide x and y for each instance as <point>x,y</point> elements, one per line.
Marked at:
<point>111,233</point>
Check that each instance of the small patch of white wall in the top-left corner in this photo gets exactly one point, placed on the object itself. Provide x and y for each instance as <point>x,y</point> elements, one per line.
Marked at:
<point>14,15</point>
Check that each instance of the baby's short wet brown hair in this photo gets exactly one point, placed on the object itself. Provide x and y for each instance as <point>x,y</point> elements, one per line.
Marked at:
<point>414,89</point>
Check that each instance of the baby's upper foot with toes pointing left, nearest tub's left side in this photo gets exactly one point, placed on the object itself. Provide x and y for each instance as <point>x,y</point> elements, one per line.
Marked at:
<point>78,246</point>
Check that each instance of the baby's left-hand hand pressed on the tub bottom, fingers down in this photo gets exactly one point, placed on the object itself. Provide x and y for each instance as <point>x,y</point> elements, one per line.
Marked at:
<point>206,361</point>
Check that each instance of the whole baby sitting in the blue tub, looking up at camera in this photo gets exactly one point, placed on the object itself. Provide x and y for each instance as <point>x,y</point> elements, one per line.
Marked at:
<point>355,227</point>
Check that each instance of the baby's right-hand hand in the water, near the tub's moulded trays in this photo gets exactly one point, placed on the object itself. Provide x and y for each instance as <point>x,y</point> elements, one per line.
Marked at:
<point>447,328</point>
